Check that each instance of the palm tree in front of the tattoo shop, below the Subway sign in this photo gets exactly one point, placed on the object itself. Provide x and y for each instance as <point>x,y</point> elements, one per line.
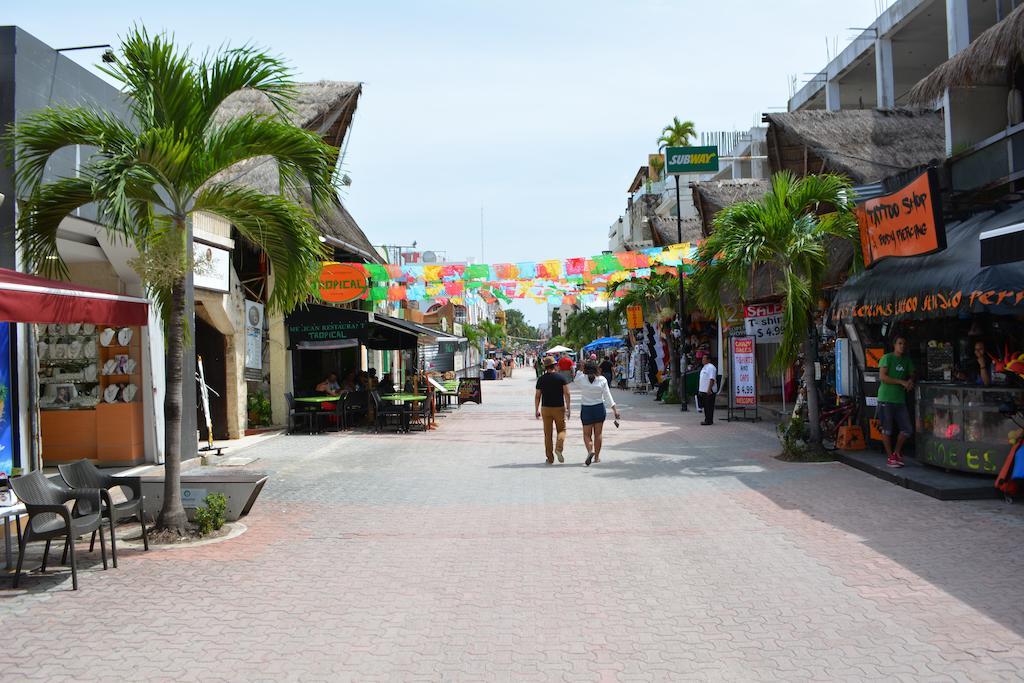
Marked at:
<point>788,233</point>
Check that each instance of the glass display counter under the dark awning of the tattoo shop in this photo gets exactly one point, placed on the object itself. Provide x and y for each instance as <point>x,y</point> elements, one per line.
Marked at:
<point>960,426</point>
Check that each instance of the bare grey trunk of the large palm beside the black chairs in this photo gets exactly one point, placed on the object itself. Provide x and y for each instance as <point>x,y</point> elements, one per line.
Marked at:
<point>173,516</point>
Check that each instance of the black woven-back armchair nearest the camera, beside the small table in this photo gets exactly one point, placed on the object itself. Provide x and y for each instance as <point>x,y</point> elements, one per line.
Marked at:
<point>50,519</point>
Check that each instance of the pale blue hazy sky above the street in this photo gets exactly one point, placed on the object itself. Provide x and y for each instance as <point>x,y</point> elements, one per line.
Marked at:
<point>539,113</point>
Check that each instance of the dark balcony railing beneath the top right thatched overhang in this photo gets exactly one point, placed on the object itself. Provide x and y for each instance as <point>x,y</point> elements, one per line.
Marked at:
<point>995,161</point>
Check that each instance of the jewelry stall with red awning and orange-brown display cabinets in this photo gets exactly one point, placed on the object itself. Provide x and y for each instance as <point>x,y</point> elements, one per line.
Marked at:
<point>87,369</point>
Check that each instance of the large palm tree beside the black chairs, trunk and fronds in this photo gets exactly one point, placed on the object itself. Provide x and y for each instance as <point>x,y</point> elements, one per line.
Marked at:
<point>151,176</point>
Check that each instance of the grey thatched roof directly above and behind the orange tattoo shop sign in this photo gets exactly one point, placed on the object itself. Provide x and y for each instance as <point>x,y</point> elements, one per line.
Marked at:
<point>864,145</point>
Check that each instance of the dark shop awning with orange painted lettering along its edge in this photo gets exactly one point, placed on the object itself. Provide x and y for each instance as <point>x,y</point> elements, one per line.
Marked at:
<point>946,284</point>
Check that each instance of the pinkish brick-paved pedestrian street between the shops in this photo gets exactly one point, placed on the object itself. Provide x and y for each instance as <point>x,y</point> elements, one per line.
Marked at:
<point>458,556</point>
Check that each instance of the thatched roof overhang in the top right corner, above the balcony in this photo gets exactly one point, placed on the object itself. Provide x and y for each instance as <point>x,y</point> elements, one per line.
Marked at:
<point>988,61</point>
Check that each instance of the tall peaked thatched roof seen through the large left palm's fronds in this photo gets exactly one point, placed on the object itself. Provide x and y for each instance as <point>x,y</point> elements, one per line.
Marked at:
<point>326,108</point>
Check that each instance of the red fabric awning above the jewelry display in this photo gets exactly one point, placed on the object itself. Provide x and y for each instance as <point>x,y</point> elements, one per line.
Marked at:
<point>27,298</point>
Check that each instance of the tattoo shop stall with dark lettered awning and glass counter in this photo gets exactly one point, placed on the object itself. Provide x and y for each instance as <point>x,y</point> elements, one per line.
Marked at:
<point>964,324</point>
